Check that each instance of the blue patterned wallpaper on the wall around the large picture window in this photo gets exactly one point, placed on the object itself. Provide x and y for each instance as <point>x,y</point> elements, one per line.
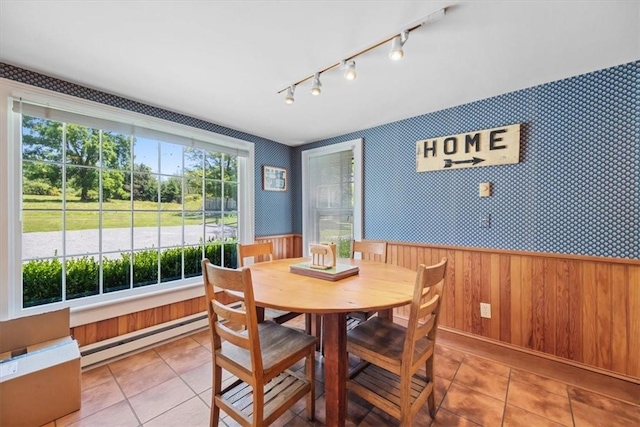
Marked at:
<point>273,210</point>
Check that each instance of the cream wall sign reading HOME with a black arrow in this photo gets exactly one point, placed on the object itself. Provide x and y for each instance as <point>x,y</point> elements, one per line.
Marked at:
<point>489,147</point>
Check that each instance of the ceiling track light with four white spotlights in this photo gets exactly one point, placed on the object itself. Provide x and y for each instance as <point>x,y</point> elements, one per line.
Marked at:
<point>348,65</point>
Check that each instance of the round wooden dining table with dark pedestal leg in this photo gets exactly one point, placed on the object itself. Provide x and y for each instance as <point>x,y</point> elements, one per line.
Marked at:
<point>377,287</point>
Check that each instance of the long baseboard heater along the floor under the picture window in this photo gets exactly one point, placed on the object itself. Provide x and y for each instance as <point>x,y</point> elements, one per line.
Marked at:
<point>123,345</point>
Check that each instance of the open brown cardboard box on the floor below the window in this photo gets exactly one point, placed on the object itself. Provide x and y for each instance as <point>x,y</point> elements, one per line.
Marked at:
<point>39,370</point>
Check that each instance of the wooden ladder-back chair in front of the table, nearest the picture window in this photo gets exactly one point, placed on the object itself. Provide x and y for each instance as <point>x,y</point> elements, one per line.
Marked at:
<point>259,355</point>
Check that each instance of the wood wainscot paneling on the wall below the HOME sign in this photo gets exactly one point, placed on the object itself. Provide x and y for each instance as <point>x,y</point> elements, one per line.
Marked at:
<point>583,309</point>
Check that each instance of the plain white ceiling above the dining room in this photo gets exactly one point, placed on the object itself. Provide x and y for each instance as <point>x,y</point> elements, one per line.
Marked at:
<point>225,61</point>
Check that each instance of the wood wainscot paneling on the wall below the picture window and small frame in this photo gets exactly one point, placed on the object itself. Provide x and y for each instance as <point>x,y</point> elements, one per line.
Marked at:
<point>285,246</point>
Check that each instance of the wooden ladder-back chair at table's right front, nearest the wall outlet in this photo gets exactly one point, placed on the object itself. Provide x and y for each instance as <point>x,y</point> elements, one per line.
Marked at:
<point>392,356</point>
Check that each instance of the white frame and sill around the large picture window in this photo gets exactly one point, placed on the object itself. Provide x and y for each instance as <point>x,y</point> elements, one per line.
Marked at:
<point>104,306</point>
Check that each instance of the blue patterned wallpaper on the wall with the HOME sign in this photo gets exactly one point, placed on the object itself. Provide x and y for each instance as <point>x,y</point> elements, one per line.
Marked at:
<point>576,189</point>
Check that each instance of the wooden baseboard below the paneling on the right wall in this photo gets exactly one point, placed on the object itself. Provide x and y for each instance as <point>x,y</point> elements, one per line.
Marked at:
<point>623,388</point>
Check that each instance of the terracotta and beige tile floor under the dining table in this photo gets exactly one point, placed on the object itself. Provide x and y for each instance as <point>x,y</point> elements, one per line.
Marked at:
<point>170,385</point>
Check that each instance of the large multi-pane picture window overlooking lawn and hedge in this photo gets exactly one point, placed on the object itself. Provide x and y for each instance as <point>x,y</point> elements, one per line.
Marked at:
<point>107,208</point>
